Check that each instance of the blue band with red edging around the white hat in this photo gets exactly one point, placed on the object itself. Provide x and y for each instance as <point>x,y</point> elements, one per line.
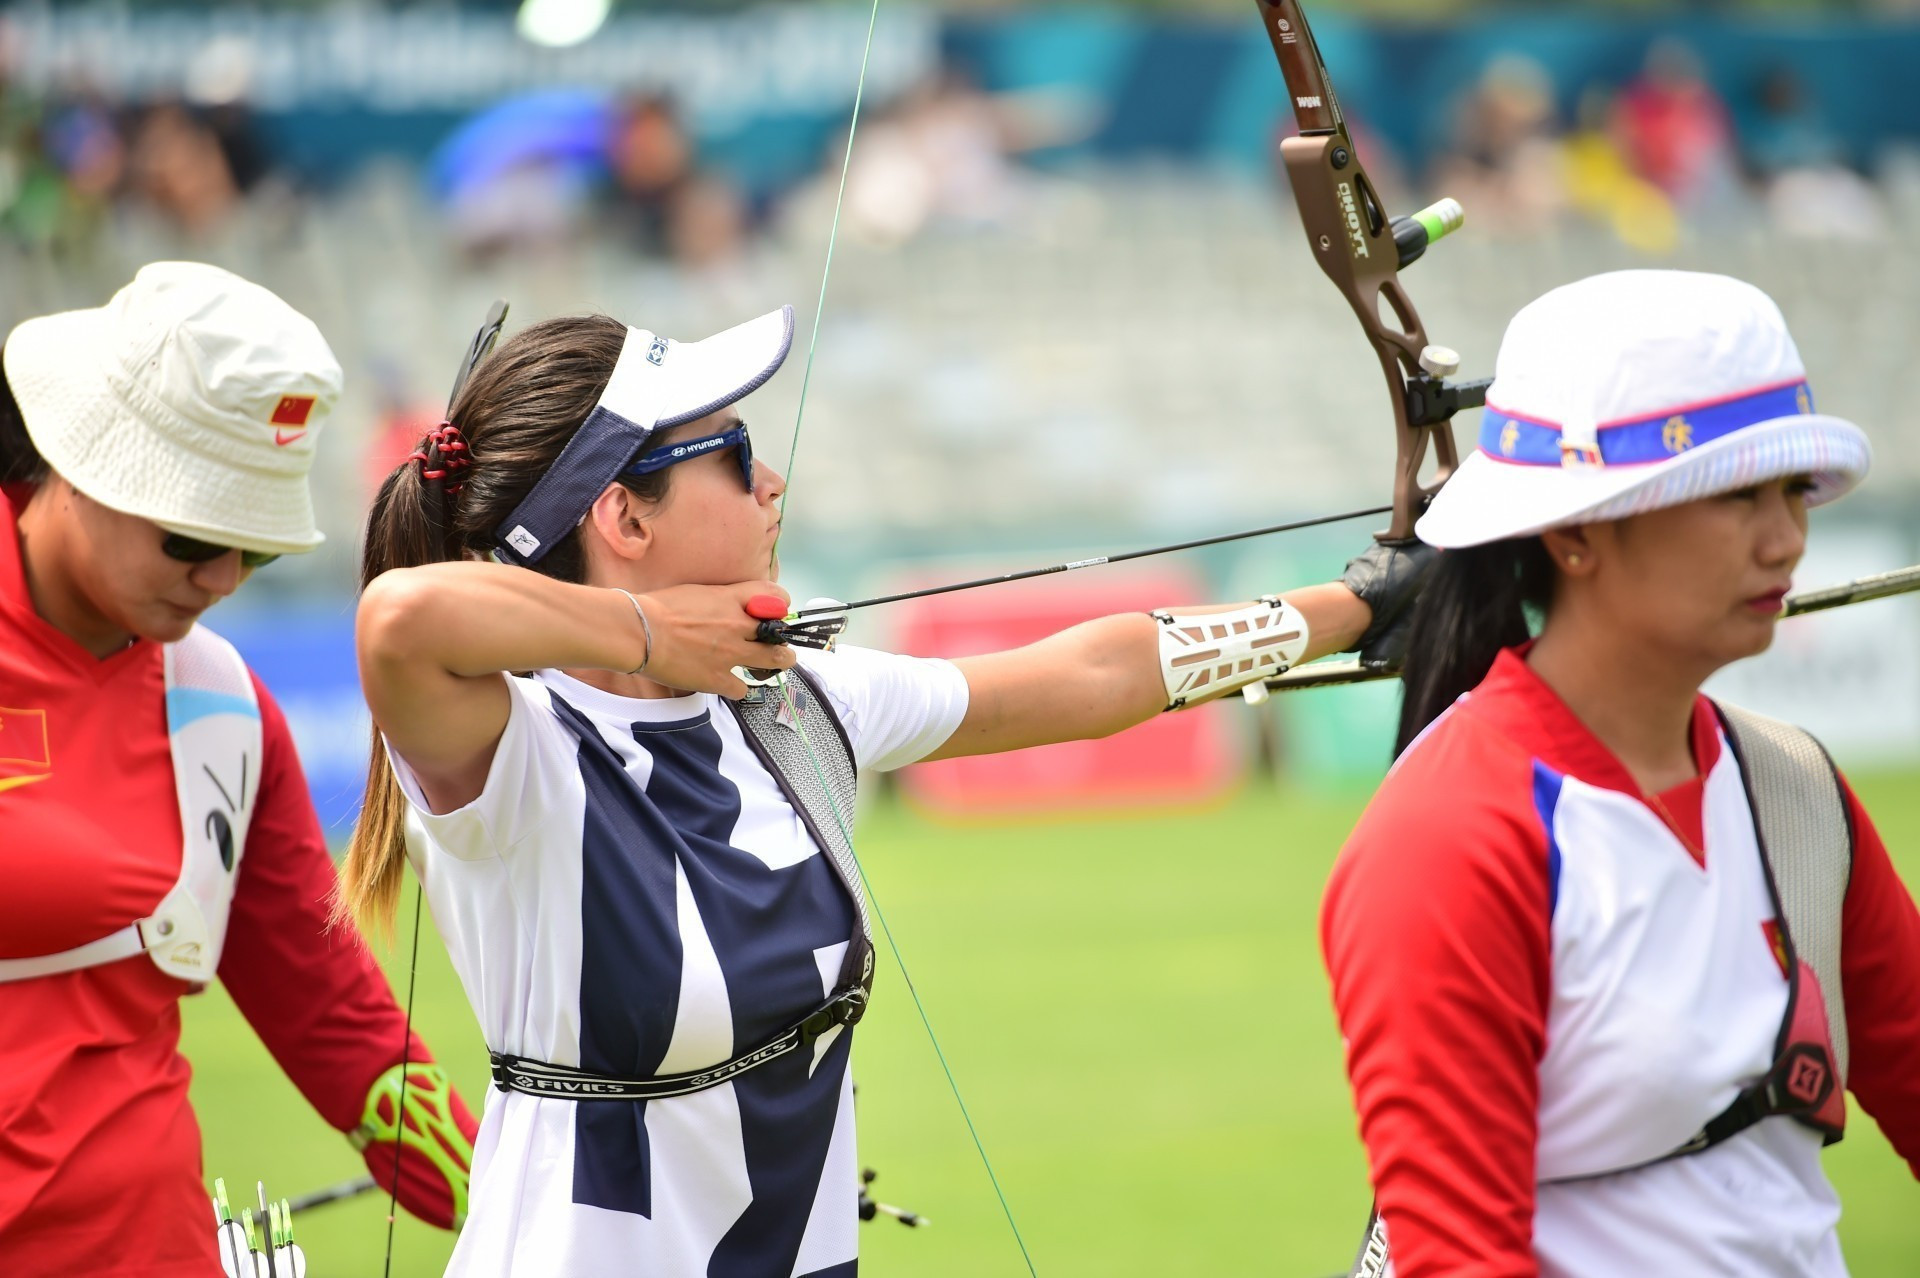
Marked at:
<point>1650,438</point>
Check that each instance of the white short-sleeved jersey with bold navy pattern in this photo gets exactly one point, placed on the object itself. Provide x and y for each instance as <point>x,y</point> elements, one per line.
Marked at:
<point>633,895</point>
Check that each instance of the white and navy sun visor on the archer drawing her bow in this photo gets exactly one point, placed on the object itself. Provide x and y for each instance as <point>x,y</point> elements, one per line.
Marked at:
<point>656,385</point>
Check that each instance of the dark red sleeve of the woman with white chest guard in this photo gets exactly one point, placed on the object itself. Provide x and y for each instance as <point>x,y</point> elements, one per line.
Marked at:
<point>314,995</point>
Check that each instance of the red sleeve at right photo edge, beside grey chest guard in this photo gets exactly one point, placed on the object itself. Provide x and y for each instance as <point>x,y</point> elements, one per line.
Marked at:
<point>1881,976</point>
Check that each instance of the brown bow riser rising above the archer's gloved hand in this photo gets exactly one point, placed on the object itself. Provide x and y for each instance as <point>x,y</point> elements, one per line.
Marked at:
<point>1356,245</point>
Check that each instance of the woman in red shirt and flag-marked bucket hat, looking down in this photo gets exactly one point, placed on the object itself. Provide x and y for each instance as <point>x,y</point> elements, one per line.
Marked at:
<point>155,822</point>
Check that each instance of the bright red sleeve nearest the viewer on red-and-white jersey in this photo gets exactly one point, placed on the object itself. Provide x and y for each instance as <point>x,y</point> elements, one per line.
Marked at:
<point>1437,941</point>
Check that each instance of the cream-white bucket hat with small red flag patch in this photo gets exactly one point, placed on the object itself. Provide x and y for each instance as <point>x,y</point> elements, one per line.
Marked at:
<point>193,400</point>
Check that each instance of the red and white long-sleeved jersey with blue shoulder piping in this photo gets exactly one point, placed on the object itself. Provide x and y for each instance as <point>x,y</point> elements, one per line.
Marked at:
<point>1545,974</point>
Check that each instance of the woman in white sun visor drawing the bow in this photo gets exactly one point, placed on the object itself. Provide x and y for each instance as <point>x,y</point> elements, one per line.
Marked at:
<point>642,874</point>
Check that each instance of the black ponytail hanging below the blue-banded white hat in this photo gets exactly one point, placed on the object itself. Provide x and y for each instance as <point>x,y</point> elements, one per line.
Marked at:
<point>1476,603</point>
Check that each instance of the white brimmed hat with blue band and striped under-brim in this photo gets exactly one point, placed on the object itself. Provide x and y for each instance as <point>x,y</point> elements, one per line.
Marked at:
<point>1641,390</point>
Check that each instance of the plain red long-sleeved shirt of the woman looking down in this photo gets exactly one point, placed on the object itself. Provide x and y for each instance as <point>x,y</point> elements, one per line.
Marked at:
<point>99,1147</point>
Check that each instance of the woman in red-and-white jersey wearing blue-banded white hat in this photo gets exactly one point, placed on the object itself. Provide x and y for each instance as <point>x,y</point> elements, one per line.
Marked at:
<point>1604,953</point>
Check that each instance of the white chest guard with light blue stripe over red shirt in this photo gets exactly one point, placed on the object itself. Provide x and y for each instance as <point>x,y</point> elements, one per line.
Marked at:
<point>214,736</point>
